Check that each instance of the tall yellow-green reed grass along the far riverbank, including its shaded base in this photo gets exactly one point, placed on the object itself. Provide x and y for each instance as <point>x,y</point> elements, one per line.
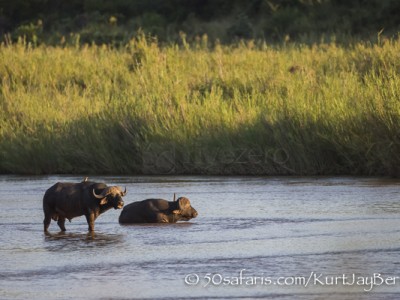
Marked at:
<point>242,109</point>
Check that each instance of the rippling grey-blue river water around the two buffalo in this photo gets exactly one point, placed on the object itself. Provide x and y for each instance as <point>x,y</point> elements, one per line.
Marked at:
<point>272,237</point>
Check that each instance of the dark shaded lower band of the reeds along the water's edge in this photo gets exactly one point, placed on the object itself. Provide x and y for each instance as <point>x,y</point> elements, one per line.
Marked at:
<point>130,146</point>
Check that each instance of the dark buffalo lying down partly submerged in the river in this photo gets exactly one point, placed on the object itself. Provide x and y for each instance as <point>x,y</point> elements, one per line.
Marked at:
<point>158,211</point>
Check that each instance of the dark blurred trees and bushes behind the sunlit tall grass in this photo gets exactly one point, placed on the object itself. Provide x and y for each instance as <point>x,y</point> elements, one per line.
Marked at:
<point>117,21</point>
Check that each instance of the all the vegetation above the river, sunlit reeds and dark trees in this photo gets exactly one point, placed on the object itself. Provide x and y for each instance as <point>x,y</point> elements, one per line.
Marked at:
<point>221,98</point>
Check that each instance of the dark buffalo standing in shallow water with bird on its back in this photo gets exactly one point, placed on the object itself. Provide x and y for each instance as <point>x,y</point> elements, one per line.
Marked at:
<point>69,200</point>
